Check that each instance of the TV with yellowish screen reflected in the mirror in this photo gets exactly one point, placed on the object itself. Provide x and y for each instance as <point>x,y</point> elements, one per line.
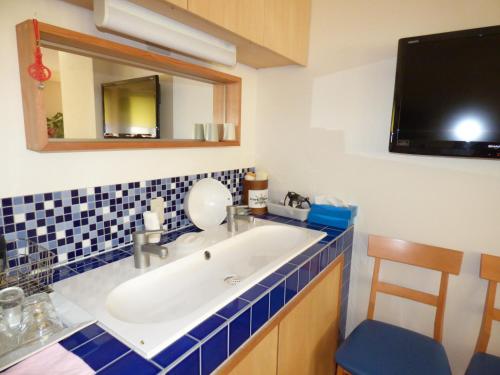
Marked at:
<point>131,108</point>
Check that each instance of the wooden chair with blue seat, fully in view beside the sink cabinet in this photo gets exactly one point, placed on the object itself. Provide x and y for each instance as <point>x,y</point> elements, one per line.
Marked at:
<point>375,347</point>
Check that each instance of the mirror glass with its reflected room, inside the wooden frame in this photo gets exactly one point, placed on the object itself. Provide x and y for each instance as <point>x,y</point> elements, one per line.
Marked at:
<point>93,98</point>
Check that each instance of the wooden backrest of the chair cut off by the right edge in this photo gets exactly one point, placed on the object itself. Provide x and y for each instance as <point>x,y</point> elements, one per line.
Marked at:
<point>490,270</point>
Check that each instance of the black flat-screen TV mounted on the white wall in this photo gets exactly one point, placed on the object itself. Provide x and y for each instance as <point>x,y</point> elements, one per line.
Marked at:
<point>447,94</point>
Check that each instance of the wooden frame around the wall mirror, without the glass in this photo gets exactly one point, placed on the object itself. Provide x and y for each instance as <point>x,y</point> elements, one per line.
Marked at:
<point>227,88</point>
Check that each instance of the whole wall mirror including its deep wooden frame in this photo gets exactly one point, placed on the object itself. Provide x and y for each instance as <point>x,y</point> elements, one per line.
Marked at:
<point>105,95</point>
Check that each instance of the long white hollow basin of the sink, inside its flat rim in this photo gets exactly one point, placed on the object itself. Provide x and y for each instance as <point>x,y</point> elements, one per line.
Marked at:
<point>205,278</point>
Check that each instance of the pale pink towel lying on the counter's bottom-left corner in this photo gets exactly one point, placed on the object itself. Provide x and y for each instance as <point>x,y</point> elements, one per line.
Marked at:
<point>55,360</point>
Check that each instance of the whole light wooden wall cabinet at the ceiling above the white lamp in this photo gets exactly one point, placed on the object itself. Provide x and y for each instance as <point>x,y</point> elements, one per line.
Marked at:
<point>267,33</point>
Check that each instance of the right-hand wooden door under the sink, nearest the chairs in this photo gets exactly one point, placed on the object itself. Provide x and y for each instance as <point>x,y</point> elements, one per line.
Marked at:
<point>308,334</point>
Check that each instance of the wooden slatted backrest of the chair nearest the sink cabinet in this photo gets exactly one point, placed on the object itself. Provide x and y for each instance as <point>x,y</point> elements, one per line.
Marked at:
<point>435,258</point>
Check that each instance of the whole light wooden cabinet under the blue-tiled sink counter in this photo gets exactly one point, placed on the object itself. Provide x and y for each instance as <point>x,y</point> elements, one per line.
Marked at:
<point>302,338</point>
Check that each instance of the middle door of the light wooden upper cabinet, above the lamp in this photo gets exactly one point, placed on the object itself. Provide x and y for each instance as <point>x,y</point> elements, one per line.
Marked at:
<point>243,17</point>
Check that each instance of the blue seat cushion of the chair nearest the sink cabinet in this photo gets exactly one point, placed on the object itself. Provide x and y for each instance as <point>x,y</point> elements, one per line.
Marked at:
<point>379,348</point>
